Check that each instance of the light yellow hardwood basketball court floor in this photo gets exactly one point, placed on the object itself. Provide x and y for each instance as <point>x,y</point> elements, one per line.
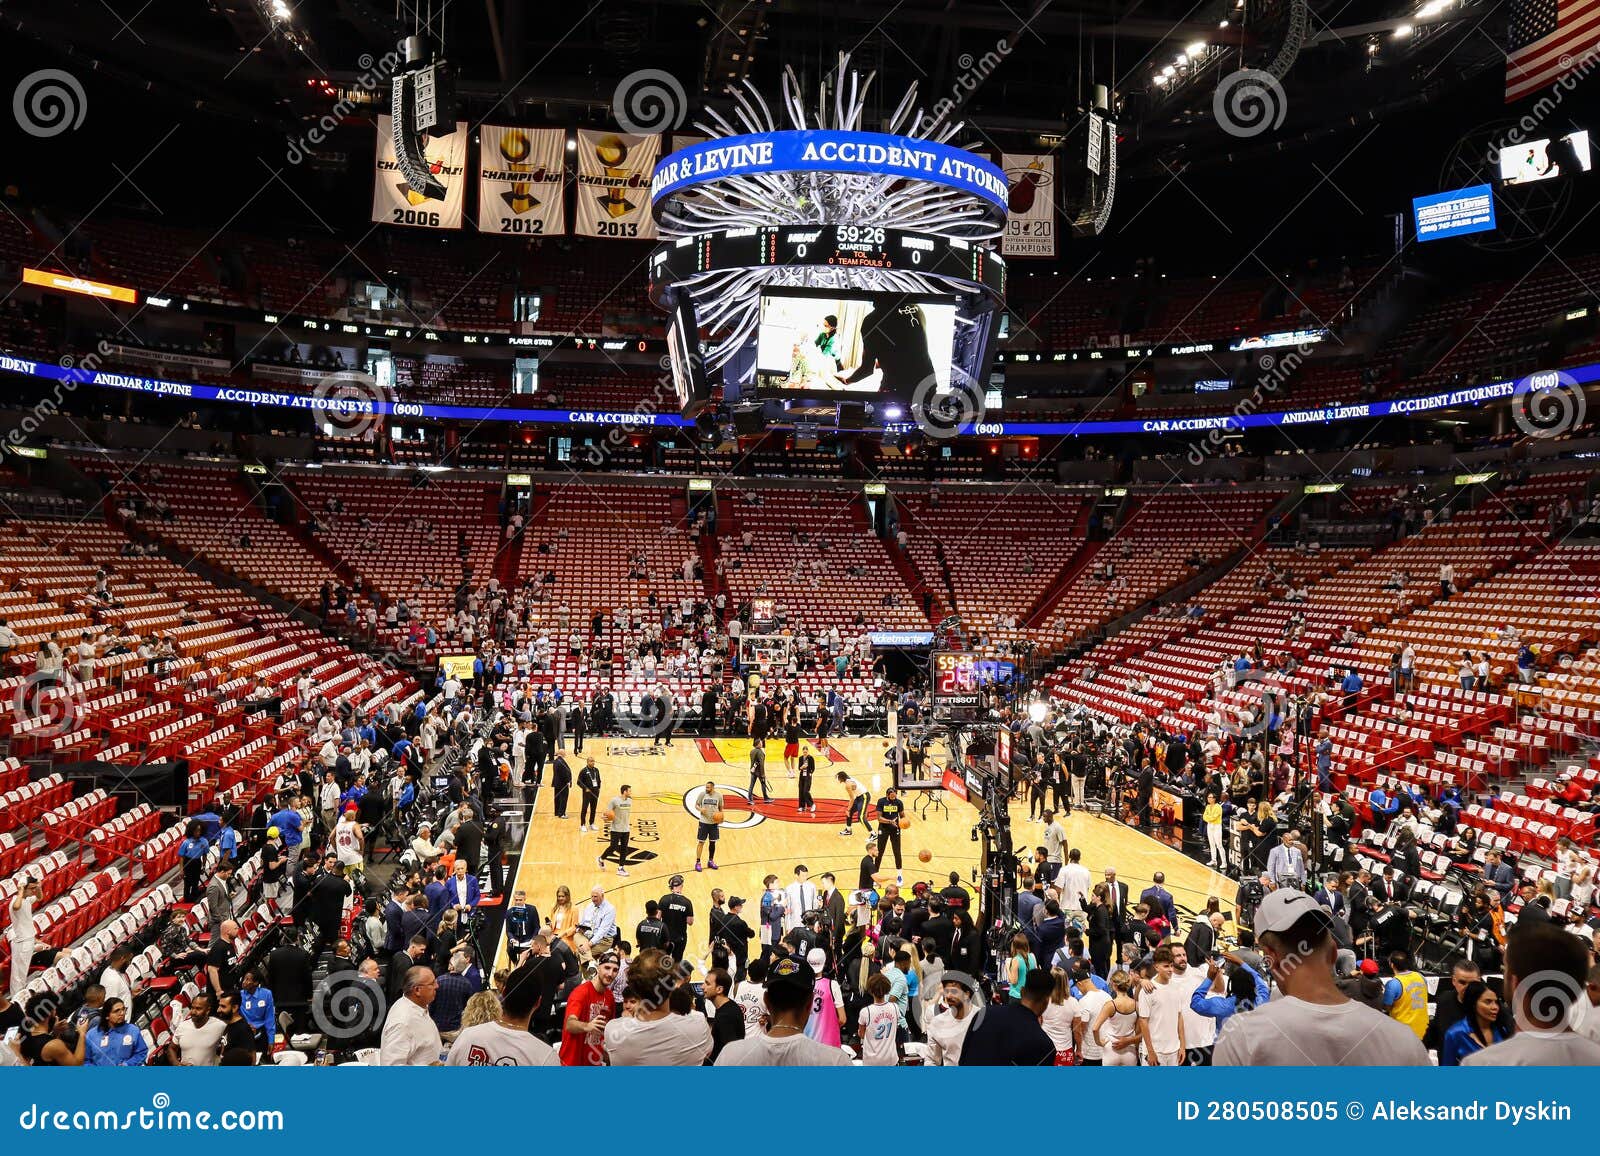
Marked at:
<point>774,838</point>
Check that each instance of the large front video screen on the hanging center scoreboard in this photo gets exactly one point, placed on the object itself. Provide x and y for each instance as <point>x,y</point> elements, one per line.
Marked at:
<point>854,343</point>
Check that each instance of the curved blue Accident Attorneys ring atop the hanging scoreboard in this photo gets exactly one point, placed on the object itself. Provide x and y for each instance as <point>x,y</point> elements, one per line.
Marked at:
<point>830,151</point>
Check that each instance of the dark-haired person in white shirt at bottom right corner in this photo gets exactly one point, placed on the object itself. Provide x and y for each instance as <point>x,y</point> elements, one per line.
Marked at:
<point>1546,971</point>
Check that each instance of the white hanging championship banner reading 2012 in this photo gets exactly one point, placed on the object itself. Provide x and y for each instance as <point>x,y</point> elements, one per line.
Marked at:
<point>522,182</point>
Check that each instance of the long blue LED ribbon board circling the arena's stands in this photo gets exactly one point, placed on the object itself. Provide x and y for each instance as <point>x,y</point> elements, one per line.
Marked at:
<point>638,420</point>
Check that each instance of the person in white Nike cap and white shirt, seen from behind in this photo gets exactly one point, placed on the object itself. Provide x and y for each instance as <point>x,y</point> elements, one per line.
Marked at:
<point>1313,1022</point>
